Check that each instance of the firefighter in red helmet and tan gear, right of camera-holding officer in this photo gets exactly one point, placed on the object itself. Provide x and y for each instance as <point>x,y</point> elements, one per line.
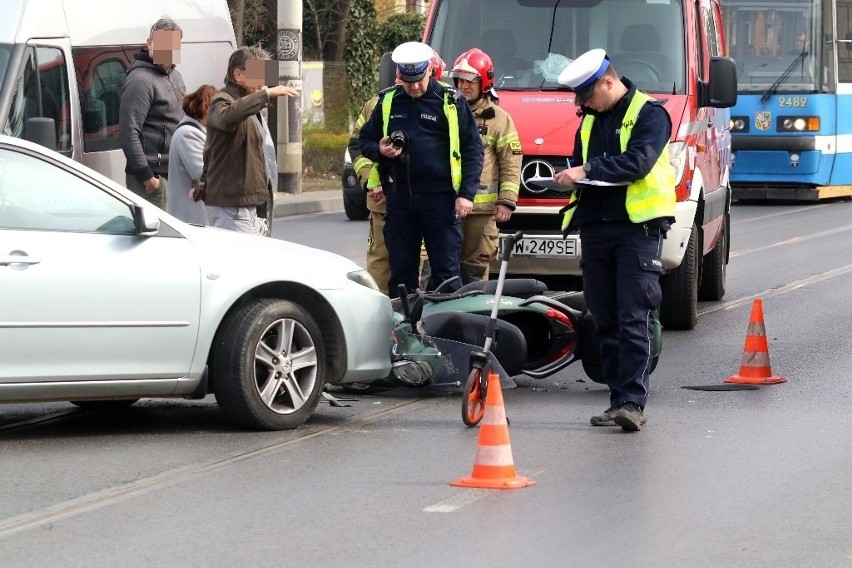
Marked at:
<point>495,200</point>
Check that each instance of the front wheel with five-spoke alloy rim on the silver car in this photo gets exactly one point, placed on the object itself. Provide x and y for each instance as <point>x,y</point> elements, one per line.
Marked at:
<point>269,365</point>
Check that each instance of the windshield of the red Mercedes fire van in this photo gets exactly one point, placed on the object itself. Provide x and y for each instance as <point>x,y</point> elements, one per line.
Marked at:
<point>531,41</point>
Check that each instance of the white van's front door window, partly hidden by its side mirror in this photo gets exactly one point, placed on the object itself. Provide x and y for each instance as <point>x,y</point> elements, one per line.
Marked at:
<point>42,90</point>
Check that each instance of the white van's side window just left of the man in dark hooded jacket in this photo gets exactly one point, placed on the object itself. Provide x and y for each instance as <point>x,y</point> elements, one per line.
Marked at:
<point>100,74</point>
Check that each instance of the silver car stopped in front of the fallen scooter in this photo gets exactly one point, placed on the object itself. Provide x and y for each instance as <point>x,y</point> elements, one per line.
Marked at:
<point>105,299</point>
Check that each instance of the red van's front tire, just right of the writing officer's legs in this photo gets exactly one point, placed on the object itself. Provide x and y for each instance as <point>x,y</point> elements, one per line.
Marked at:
<point>679,308</point>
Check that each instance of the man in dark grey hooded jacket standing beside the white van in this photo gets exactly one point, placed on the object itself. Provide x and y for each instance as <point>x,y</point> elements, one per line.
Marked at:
<point>150,110</point>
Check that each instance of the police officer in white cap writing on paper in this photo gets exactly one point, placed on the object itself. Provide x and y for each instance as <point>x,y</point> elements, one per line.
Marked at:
<point>623,139</point>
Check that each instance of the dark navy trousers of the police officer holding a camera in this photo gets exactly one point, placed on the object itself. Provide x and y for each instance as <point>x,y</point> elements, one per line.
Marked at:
<point>428,218</point>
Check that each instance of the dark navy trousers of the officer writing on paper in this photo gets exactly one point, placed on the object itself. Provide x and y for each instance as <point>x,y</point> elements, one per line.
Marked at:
<point>621,283</point>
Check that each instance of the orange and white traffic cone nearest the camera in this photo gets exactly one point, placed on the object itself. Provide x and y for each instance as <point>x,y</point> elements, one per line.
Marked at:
<point>493,467</point>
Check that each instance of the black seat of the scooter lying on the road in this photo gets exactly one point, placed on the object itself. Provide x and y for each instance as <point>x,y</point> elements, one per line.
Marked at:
<point>509,346</point>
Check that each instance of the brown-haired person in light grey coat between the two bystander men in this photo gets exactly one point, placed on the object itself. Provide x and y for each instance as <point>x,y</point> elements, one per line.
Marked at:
<point>186,162</point>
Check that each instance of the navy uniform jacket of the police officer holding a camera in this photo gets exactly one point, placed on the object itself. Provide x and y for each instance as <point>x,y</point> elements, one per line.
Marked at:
<point>428,147</point>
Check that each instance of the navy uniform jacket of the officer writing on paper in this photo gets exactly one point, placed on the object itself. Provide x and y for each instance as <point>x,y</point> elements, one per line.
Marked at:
<point>608,163</point>
